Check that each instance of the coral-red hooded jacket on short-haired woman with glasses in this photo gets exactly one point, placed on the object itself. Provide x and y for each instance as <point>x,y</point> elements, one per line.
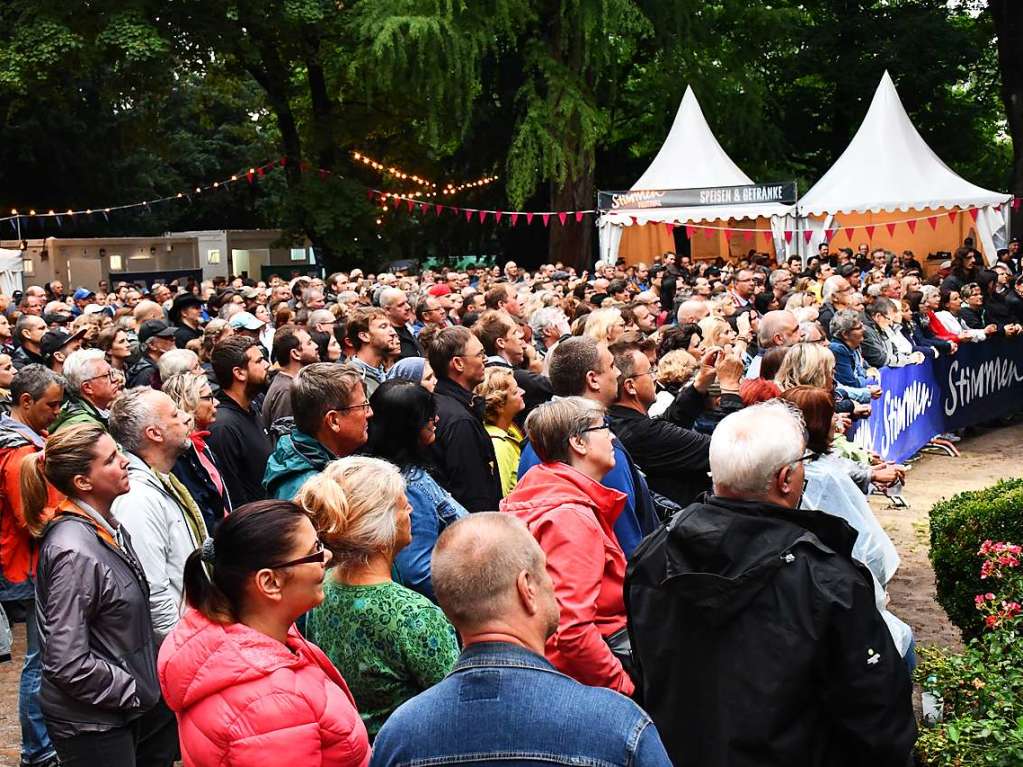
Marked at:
<point>572,518</point>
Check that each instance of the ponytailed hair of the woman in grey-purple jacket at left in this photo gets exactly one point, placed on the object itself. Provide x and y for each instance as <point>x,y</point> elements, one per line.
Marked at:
<point>69,454</point>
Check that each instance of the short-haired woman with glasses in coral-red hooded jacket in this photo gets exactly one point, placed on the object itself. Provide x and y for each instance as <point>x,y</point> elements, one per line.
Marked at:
<point>572,516</point>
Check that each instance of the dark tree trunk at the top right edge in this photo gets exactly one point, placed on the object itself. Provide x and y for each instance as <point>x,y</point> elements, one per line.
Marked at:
<point>1008,16</point>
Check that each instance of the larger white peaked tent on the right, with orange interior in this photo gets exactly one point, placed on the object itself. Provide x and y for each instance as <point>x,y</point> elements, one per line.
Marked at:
<point>888,175</point>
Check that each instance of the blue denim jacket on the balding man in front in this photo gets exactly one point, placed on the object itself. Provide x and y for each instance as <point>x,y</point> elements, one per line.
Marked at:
<point>505,706</point>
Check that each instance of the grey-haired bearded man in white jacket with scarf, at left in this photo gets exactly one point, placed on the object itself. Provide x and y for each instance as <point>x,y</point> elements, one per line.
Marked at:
<point>164,522</point>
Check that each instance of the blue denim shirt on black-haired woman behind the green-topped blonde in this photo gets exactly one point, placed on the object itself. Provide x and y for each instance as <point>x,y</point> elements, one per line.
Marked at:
<point>433,511</point>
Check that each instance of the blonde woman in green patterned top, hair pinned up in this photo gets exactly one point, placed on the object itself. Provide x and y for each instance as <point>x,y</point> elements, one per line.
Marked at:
<point>392,643</point>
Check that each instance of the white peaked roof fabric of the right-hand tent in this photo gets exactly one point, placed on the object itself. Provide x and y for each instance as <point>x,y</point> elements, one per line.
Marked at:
<point>888,167</point>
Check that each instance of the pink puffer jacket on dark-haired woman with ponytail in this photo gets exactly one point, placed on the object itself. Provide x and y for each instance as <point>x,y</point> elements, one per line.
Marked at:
<point>244,699</point>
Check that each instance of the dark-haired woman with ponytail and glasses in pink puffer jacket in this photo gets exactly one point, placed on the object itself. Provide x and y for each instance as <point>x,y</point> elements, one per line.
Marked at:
<point>245,685</point>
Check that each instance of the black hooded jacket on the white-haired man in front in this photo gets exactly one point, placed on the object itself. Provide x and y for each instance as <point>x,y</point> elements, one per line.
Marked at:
<point>760,643</point>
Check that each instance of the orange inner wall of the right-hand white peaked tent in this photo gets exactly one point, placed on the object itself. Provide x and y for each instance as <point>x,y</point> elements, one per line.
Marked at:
<point>946,237</point>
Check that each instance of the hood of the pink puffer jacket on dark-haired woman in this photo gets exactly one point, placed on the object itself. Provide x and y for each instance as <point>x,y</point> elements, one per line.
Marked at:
<point>202,659</point>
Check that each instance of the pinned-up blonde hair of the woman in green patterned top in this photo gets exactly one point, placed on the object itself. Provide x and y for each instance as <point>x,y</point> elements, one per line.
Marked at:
<point>352,505</point>
